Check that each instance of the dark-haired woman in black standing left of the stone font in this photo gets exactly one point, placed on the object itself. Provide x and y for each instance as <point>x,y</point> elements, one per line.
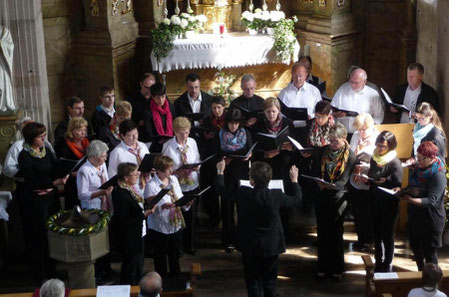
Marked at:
<point>36,162</point>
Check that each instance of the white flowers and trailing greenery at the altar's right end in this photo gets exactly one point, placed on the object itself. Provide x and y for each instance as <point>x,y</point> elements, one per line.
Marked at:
<point>285,38</point>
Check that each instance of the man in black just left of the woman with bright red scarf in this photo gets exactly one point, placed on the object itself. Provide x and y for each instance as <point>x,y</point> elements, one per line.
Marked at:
<point>140,101</point>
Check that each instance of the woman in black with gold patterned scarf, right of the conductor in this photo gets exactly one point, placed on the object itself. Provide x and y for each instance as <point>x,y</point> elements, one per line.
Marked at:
<point>334,165</point>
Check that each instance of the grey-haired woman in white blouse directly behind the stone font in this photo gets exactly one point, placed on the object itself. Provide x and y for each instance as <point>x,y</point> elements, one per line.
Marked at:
<point>91,176</point>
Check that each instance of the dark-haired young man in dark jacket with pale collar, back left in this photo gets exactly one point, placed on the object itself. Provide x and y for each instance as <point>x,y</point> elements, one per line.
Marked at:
<point>105,111</point>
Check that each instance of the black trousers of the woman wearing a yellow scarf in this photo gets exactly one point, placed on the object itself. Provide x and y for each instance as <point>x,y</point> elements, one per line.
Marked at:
<point>385,214</point>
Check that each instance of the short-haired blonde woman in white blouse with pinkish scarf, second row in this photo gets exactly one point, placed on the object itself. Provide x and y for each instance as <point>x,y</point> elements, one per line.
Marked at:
<point>183,150</point>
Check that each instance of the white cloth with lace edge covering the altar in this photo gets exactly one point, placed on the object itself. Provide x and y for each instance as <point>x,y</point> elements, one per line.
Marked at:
<point>210,51</point>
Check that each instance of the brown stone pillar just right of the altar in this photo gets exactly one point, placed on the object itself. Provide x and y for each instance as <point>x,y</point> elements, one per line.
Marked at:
<point>330,37</point>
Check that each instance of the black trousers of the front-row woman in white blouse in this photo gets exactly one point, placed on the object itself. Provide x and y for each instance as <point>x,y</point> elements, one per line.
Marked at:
<point>166,246</point>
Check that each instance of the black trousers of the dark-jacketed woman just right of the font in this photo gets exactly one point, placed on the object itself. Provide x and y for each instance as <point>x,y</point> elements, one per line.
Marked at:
<point>132,267</point>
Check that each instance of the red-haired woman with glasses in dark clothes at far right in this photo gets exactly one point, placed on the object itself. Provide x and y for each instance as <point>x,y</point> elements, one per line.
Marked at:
<point>426,211</point>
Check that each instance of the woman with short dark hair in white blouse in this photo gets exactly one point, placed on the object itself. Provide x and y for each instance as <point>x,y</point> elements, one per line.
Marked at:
<point>129,150</point>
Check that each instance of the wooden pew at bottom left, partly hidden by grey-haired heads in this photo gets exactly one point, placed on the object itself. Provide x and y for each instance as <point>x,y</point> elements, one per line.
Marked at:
<point>195,272</point>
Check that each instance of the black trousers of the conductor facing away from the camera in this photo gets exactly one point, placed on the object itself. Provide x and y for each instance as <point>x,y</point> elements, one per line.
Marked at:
<point>260,274</point>
